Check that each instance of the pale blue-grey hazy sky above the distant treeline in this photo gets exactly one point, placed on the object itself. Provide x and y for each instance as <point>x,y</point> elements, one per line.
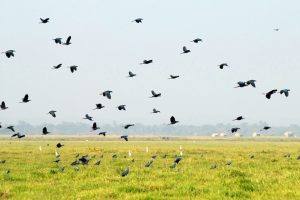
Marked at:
<point>106,45</point>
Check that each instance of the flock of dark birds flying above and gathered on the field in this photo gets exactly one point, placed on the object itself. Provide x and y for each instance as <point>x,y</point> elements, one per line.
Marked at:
<point>108,95</point>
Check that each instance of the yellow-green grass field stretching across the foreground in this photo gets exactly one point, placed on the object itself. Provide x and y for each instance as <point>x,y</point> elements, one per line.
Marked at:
<point>34,175</point>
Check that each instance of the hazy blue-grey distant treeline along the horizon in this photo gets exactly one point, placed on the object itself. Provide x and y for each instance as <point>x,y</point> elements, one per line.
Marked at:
<point>141,129</point>
